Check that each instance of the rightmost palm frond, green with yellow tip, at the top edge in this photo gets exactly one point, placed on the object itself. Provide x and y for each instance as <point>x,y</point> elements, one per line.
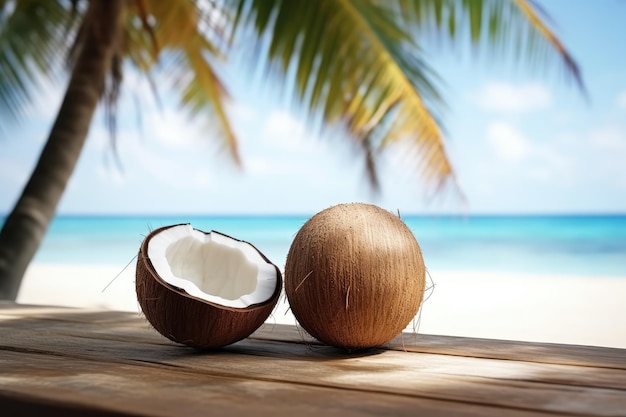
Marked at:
<point>518,29</point>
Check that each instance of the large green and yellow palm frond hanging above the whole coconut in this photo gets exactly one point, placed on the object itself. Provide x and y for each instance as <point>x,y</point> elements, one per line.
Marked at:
<point>353,63</point>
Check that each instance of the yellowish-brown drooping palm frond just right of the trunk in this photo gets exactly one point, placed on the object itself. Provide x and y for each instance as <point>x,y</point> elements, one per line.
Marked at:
<point>188,39</point>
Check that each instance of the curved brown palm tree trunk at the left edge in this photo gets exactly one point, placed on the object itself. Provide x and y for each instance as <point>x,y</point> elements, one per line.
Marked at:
<point>26,225</point>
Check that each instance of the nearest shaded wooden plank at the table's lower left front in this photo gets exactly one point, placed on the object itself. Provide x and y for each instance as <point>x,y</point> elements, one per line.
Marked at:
<point>33,384</point>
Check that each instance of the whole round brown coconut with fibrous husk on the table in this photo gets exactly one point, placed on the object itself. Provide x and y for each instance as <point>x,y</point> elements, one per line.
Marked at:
<point>354,276</point>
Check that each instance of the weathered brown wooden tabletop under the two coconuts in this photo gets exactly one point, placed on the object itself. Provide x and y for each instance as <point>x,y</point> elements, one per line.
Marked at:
<point>66,362</point>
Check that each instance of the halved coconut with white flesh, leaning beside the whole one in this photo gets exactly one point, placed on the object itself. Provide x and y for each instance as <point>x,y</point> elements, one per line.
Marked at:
<point>204,290</point>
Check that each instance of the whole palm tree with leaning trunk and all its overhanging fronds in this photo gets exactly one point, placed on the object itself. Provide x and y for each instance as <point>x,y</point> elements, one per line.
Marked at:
<point>354,64</point>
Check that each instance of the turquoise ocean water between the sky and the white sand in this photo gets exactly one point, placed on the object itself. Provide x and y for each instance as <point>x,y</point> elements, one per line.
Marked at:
<point>573,245</point>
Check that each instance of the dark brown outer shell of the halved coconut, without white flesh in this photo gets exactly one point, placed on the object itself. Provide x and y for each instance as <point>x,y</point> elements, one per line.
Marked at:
<point>193,321</point>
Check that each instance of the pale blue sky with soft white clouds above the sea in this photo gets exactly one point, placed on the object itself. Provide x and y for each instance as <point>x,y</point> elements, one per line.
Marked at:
<point>522,140</point>
